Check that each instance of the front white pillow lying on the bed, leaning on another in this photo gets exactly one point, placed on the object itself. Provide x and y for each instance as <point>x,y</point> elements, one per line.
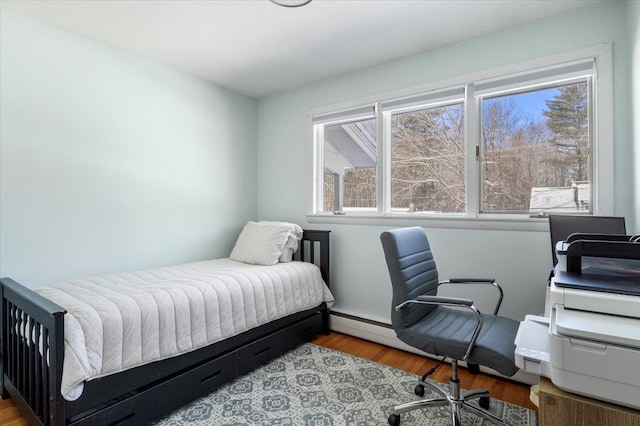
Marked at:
<point>260,243</point>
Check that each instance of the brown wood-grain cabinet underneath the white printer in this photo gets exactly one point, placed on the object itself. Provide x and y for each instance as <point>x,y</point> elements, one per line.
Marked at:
<point>560,408</point>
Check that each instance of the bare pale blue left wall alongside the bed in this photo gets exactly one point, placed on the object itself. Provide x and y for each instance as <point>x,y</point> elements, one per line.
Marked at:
<point>111,163</point>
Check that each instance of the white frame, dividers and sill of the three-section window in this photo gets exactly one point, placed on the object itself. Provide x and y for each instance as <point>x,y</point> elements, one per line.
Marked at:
<point>601,132</point>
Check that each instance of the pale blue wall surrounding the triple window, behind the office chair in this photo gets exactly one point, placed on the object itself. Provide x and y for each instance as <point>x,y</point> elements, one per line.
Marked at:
<point>519,260</point>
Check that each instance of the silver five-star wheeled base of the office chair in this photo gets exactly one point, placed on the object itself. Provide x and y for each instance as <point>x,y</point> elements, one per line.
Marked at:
<point>456,400</point>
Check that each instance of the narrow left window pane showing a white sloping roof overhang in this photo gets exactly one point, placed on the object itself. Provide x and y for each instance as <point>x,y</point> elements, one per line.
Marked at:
<point>350,158</point>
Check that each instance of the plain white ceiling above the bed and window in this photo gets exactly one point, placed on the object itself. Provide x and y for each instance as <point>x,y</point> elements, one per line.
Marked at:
<point>259,48</point>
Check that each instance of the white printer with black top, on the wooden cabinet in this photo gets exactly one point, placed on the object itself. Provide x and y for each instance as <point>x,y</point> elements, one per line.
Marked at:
<point>588,342</point>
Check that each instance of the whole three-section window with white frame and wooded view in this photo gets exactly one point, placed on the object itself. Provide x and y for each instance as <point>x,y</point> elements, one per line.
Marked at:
<point>516,143</point>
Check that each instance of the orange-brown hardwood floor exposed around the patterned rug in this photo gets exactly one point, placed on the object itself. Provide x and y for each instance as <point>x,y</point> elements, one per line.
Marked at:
<point>504,390</point>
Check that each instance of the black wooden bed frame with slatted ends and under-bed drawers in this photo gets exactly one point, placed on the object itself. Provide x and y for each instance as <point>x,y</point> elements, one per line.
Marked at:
<point>143,394</point>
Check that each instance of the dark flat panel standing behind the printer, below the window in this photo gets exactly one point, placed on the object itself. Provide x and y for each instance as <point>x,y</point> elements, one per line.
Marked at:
<point>561,226</point>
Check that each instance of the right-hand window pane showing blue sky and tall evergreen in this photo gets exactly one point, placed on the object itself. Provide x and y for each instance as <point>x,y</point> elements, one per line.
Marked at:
<point>535,151</point>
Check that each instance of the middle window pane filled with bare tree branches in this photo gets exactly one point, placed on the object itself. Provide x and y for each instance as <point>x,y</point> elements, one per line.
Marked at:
<point>427,160</point>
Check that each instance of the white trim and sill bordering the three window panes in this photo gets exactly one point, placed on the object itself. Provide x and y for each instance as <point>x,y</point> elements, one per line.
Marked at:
<point>603,132</point>
